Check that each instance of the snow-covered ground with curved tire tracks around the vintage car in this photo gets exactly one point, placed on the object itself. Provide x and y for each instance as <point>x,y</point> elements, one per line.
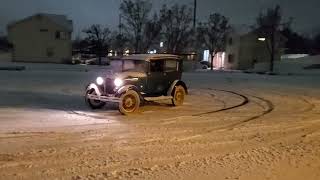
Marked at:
<point>232,126</point>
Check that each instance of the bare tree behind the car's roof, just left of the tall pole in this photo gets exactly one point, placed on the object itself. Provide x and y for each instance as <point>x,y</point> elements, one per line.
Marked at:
<point>177,29</point>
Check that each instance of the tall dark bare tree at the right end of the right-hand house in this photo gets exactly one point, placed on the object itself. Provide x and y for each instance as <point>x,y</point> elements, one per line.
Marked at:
<point>269,24</point>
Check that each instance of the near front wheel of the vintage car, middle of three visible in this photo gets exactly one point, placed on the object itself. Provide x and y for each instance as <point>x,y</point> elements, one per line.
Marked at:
<point>129,102</point>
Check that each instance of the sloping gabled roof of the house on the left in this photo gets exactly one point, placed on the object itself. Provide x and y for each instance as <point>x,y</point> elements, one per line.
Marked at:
<point>60,20</point>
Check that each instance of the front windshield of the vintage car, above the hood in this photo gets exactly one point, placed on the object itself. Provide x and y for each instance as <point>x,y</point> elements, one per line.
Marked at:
<point>128,65</point>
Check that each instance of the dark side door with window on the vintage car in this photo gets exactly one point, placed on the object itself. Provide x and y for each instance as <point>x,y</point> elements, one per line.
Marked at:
<point>156,81</point>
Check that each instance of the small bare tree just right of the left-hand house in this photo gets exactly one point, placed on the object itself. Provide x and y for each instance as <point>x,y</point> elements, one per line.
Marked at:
<point>99,40</point>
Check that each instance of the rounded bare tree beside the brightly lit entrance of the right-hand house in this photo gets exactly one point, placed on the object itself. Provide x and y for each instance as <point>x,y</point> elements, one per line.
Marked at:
<point>213,33</point>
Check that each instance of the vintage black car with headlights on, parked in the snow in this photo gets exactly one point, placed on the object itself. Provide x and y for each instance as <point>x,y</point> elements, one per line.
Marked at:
<point>138,78</point>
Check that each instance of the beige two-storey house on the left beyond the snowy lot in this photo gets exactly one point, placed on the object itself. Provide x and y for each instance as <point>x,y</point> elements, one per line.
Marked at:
<point>42,38</point>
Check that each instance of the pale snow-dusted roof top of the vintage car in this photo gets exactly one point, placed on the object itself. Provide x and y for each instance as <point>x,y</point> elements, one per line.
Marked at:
<point>149,57</point>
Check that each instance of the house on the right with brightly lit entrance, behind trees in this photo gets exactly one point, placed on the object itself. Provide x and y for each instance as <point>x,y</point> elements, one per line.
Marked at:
<point>243,50</point>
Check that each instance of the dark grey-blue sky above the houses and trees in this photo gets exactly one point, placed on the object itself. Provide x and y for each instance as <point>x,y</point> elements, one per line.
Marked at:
<point>86,12</point>
